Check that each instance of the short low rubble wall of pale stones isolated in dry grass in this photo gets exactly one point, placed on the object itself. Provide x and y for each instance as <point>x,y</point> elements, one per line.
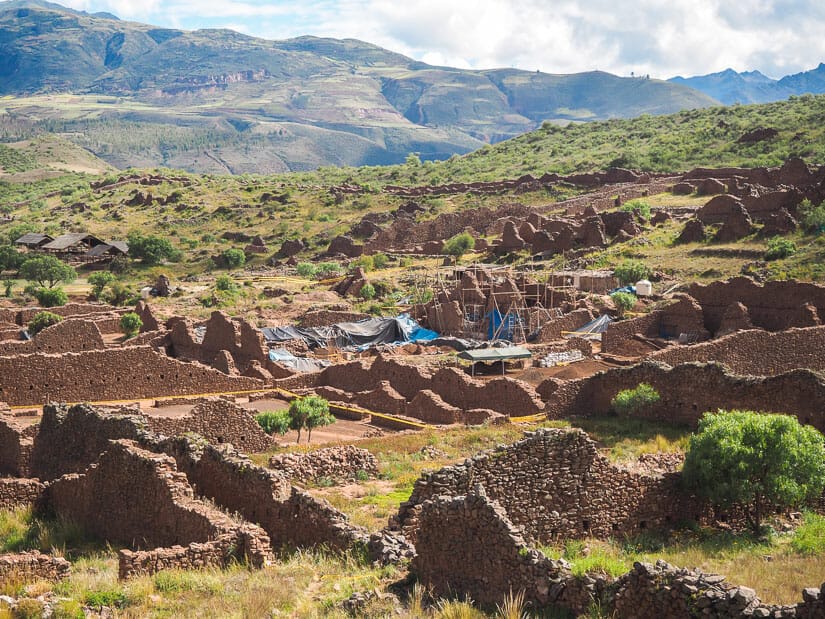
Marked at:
<point>339,464</point>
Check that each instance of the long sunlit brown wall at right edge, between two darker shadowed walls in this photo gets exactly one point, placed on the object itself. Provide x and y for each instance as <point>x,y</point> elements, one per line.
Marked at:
<point>755,352</point>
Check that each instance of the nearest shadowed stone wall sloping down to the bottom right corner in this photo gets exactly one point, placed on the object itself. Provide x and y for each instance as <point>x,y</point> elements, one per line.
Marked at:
<point>468,547</point>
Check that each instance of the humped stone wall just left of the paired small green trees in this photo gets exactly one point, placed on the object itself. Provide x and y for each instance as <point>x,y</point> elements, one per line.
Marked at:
<point>219,421</point>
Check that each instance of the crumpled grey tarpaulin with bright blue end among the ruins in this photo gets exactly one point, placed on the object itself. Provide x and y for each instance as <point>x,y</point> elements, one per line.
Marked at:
<point>358,335</point>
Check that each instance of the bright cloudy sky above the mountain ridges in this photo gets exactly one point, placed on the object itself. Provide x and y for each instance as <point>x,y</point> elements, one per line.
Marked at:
<point>660,38</point>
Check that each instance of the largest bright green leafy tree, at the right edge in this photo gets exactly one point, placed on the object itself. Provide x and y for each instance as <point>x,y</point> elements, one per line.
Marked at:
<point>757,461</point>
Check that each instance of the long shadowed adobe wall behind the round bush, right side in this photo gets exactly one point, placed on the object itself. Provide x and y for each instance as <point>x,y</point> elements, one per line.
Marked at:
<point>689,390</point>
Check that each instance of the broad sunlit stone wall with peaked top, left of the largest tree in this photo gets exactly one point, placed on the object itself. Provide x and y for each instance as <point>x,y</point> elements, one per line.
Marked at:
<point>555,485</point>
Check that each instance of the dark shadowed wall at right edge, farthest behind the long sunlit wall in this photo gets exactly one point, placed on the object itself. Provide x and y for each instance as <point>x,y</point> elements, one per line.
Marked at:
<point>773,306</point>
